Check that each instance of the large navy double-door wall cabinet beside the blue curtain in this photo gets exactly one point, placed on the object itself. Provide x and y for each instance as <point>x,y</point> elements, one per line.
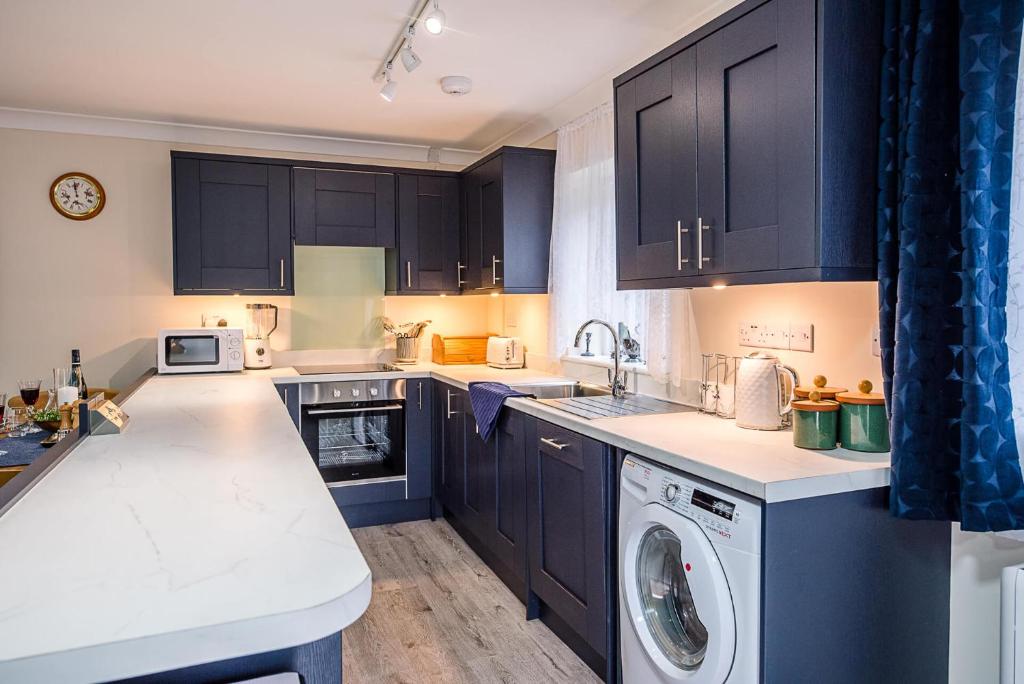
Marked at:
<point>746,152</point>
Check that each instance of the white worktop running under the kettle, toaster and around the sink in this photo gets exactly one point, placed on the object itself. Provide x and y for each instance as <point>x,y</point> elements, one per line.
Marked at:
<point>763,464</point>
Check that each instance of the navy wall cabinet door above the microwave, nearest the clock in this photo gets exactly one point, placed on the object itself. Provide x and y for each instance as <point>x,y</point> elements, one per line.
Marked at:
<point>233,230</point>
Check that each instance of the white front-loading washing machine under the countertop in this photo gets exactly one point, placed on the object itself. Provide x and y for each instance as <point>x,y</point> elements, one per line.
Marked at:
<point>690,579</point>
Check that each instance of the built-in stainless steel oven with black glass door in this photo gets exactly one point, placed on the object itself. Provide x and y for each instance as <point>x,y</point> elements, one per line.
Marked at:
<point>356,430</point>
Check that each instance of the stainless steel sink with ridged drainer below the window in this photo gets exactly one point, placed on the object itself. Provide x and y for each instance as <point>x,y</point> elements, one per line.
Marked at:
<point>592,402</point>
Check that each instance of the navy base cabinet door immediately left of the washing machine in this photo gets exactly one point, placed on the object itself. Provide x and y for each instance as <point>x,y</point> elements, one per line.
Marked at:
<point>570,507</point>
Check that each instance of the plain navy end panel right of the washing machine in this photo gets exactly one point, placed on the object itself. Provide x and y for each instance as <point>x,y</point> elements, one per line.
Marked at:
<point>851,594</point>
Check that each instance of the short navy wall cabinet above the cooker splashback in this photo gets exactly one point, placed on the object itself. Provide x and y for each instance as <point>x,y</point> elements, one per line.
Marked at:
<point>342,208</point>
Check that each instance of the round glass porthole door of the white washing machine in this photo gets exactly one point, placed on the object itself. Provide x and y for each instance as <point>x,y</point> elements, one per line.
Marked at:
<point>678,597</point>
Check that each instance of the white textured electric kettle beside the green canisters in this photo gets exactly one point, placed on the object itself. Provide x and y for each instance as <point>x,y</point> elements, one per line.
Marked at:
<point>764,393</point>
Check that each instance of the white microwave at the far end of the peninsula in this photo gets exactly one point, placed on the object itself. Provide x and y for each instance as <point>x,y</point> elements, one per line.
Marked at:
<point>200,351</point>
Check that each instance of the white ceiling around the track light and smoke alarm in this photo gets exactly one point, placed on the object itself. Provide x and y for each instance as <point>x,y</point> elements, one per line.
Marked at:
<point>306,66</point>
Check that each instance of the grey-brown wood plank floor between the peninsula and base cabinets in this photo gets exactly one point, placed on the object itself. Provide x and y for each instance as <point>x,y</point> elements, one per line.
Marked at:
<point>440,615</point>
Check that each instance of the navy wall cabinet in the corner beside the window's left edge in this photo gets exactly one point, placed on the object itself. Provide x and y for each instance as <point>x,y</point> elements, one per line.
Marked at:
<point>508,198</point>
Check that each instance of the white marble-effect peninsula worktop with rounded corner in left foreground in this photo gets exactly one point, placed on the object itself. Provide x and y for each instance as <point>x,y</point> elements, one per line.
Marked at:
<point>202,533</point>
